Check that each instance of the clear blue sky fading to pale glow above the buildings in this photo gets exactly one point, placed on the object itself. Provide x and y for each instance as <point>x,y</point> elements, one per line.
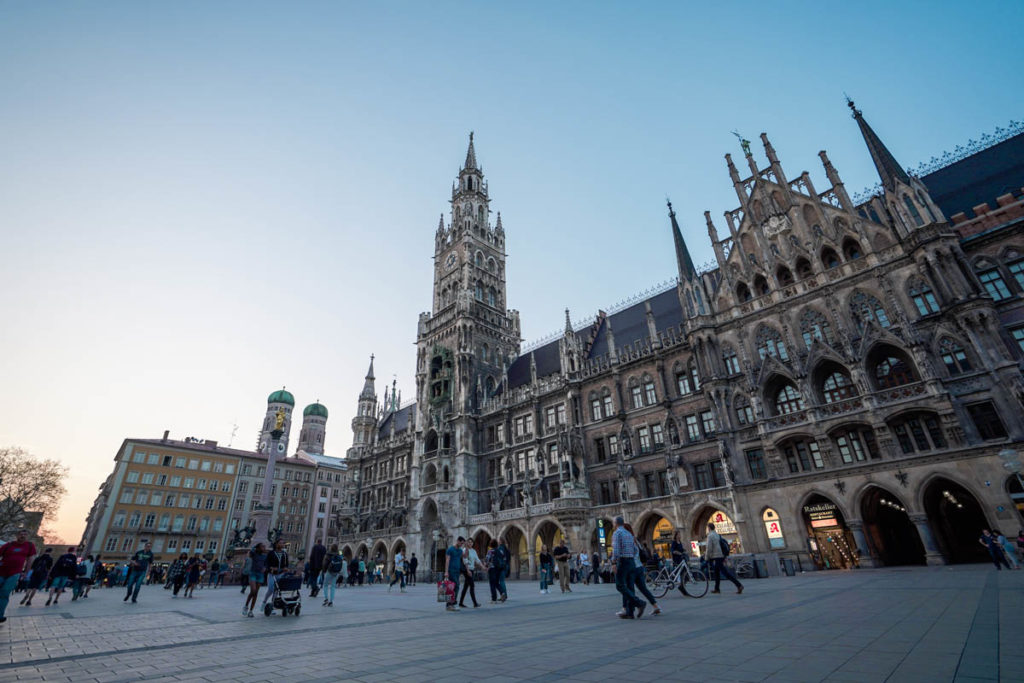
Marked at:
<point>201,202</point>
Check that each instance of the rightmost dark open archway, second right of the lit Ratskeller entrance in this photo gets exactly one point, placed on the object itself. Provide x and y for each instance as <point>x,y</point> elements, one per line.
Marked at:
<point>957,520</point>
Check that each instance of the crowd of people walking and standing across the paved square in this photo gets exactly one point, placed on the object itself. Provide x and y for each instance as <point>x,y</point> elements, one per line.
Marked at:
<point>22,571</point>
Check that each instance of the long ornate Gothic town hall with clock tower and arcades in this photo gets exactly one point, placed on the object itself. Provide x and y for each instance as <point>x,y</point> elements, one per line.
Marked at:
<point>842,389</point>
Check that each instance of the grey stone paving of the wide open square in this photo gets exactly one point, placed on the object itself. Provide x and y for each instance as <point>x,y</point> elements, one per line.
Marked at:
<point>941,624</point>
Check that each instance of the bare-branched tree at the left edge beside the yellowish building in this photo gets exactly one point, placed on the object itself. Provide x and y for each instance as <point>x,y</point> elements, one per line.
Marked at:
<point>28,485</point>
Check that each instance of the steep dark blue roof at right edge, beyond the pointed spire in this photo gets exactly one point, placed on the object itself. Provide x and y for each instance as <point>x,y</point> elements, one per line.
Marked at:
<point>979,179</point>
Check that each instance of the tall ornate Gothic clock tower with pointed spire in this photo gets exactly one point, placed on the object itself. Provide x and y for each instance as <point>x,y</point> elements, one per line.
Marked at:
<point>464,346</point>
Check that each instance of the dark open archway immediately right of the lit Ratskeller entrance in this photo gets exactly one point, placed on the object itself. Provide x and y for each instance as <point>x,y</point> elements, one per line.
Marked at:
<point>893,539</point>
